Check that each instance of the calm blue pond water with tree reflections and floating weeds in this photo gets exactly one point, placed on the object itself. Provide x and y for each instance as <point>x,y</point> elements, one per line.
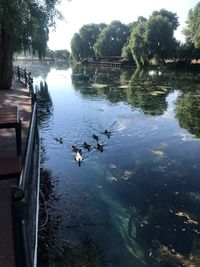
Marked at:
<point>138,201</point>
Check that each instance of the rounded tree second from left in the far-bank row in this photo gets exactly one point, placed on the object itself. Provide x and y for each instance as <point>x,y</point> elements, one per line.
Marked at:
<point>112,39</point>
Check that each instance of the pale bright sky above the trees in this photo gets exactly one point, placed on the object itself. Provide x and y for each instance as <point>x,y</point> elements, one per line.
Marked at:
<point>80,12</point>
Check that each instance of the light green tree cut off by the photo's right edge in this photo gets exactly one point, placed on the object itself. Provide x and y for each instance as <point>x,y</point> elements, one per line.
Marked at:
<point>192,30</point>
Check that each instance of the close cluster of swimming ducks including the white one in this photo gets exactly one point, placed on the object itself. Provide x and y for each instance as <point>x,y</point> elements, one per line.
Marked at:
<point>98,146</point>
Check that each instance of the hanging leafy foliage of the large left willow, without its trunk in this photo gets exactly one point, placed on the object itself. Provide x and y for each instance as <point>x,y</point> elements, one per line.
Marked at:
<point>27,23</point>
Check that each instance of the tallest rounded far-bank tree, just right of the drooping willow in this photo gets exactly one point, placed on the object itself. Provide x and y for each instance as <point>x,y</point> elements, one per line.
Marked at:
<point>159,34</point>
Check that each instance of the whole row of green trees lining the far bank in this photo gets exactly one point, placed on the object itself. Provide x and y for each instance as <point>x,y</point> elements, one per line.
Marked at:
<point>143,42</point>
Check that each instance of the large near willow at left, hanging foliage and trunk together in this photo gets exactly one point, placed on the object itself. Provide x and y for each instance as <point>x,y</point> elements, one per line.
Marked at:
<point>24,25</point>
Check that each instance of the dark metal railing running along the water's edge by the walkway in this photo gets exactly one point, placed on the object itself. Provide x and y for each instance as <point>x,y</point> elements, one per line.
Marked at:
<point>25,207</point>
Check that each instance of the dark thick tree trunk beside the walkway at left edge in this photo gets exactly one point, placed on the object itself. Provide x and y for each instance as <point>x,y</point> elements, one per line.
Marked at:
<point>6,57</point>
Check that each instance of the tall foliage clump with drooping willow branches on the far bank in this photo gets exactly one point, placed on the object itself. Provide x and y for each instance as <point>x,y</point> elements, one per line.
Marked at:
<point>153,38</point>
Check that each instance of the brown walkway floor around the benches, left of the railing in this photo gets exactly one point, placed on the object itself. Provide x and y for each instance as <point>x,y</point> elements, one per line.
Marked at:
<point>18,96</point>
